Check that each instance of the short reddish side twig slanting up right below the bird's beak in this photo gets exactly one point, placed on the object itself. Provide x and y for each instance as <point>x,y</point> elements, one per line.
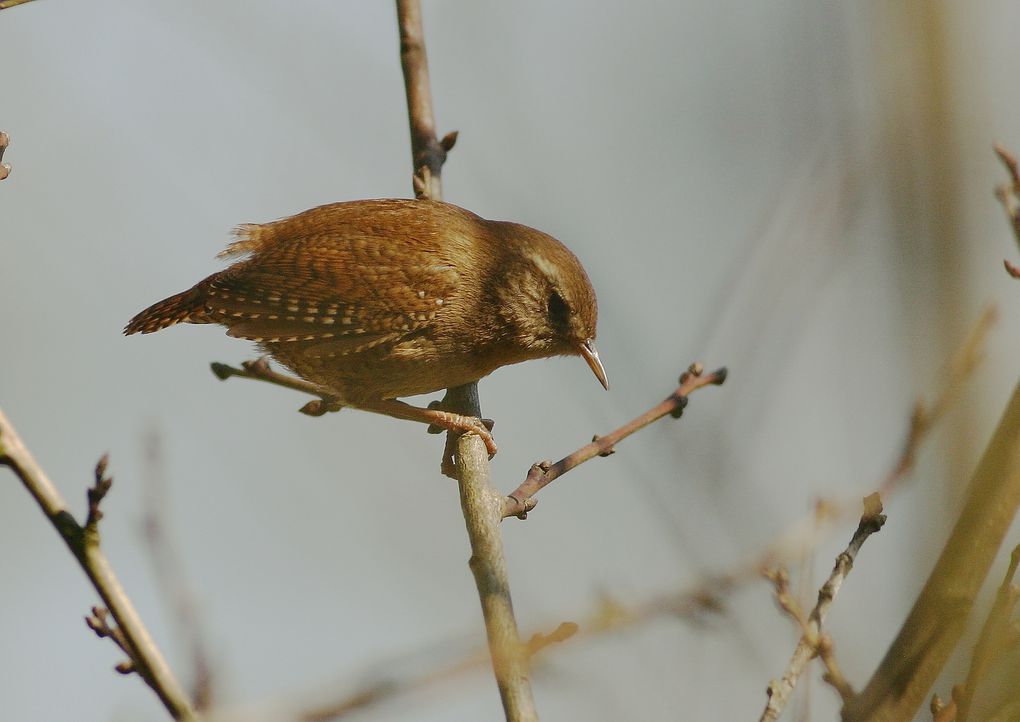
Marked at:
<point>521,501</point>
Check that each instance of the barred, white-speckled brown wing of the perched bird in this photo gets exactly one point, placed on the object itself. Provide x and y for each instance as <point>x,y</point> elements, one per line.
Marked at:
<point>350,294</point>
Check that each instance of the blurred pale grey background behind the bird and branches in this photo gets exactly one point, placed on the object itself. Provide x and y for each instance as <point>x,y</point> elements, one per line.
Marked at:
<point>801,191</point>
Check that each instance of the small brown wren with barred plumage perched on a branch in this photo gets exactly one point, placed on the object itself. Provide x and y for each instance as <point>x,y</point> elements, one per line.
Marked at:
<point>376,300</point>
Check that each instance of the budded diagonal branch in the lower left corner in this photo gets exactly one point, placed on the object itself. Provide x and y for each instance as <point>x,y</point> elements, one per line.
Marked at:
<point>84,544</point>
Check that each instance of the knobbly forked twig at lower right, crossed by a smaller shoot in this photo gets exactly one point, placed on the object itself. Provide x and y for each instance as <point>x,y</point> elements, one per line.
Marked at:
<point>812,642</point>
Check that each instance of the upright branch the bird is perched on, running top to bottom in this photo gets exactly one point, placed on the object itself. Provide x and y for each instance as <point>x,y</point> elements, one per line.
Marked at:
<point>482,504</point>
